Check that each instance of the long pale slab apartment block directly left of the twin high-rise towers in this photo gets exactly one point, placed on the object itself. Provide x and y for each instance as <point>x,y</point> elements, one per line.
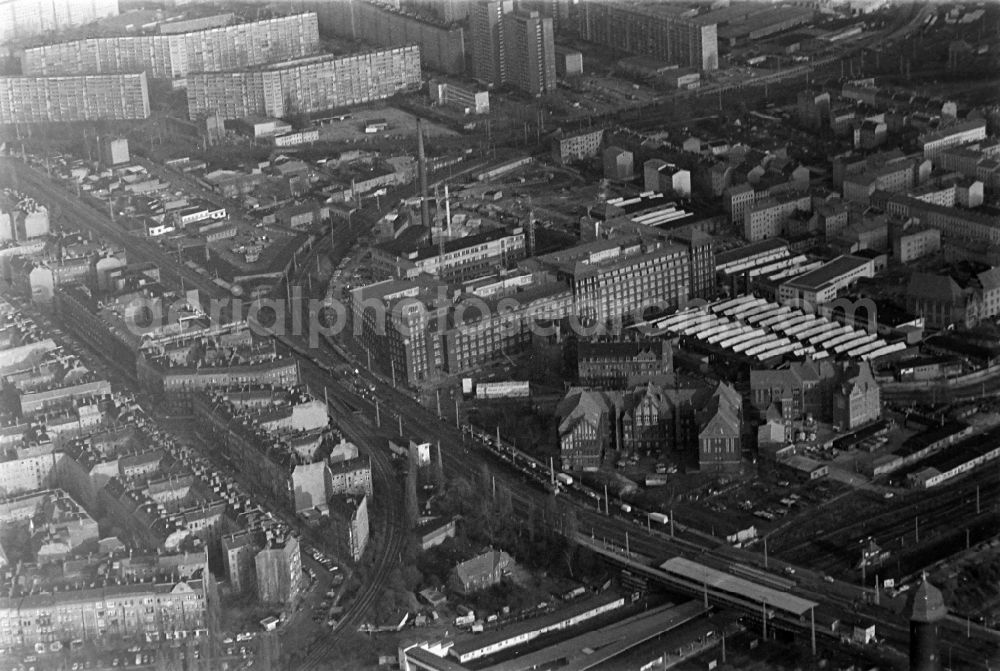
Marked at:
<point>303,85</point>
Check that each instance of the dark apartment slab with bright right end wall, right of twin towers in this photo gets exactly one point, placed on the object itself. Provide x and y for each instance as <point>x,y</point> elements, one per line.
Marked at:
<point>661,30</point>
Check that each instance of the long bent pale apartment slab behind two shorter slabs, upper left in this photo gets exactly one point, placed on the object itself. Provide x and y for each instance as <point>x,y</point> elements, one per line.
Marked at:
<point>174,56</point>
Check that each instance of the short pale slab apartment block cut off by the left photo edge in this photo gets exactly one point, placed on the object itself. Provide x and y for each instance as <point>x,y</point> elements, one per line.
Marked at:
<point>110,97</point>
